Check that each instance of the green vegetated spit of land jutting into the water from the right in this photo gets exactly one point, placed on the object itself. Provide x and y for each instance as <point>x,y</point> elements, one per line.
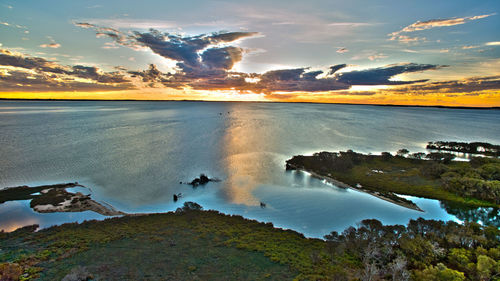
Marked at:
<point>474,183</point>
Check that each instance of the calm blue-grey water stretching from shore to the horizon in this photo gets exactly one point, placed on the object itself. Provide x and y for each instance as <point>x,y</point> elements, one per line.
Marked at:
<point>133,155</point>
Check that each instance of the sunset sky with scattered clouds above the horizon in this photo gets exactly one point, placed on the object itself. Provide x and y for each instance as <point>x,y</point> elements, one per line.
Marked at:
<point>443,52</point>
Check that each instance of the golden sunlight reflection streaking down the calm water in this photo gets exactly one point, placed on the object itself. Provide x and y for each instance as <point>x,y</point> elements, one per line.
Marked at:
<point>248,160</point>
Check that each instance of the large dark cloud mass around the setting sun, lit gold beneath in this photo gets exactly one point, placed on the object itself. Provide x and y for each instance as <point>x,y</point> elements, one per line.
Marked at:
<point>205,62</point>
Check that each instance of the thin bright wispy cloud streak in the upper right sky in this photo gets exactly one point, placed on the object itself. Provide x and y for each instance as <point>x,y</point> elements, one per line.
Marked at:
<point>428,24</point>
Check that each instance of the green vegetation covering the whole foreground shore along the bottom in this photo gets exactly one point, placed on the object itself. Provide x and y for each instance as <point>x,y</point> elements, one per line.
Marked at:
<point>191,244</point>
